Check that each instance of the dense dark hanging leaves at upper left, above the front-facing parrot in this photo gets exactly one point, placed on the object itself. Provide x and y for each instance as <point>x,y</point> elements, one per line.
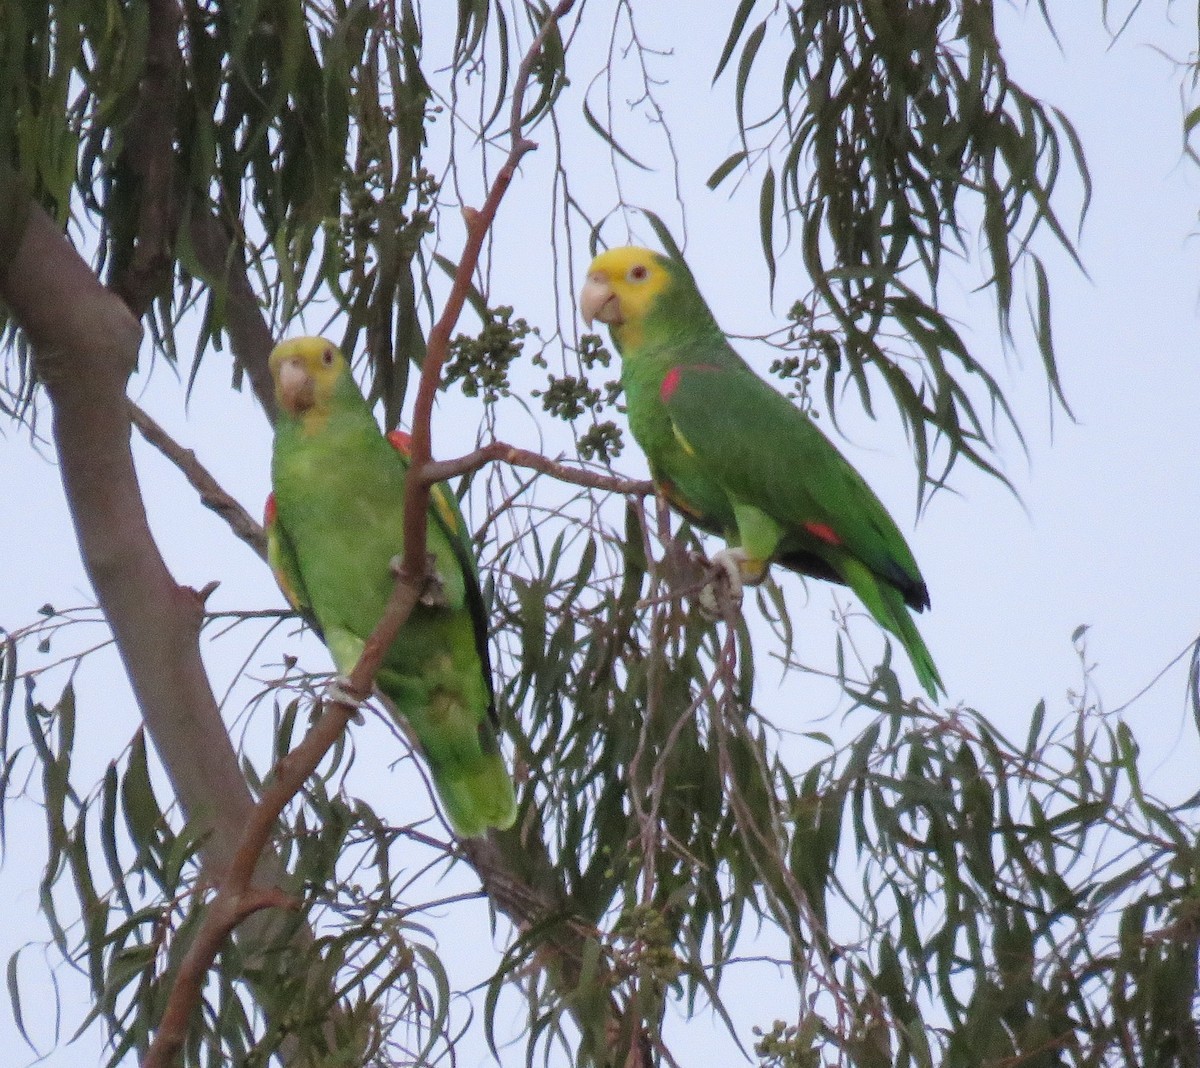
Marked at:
<point>298,134</point>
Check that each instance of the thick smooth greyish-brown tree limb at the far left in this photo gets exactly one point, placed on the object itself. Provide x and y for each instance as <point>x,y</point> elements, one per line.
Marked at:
<point>86,344</point>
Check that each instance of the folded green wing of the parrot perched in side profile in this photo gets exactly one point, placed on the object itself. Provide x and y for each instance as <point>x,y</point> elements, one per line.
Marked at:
<point>769,455</point>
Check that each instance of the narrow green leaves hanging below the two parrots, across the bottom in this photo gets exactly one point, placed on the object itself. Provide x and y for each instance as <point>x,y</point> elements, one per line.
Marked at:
<point>937,892</point>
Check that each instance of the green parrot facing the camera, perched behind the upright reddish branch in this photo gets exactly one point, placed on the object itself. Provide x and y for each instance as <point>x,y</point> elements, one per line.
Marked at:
<point>335,526</point>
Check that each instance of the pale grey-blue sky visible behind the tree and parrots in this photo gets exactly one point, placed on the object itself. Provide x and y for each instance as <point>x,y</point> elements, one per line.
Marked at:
<point>1108,538</point>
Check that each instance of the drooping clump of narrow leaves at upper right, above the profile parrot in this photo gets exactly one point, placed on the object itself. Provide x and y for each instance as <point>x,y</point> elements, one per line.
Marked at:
<point>897,135</point>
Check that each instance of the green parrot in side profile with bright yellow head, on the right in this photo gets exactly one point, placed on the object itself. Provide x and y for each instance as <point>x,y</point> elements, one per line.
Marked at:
<point>739,459</point>
